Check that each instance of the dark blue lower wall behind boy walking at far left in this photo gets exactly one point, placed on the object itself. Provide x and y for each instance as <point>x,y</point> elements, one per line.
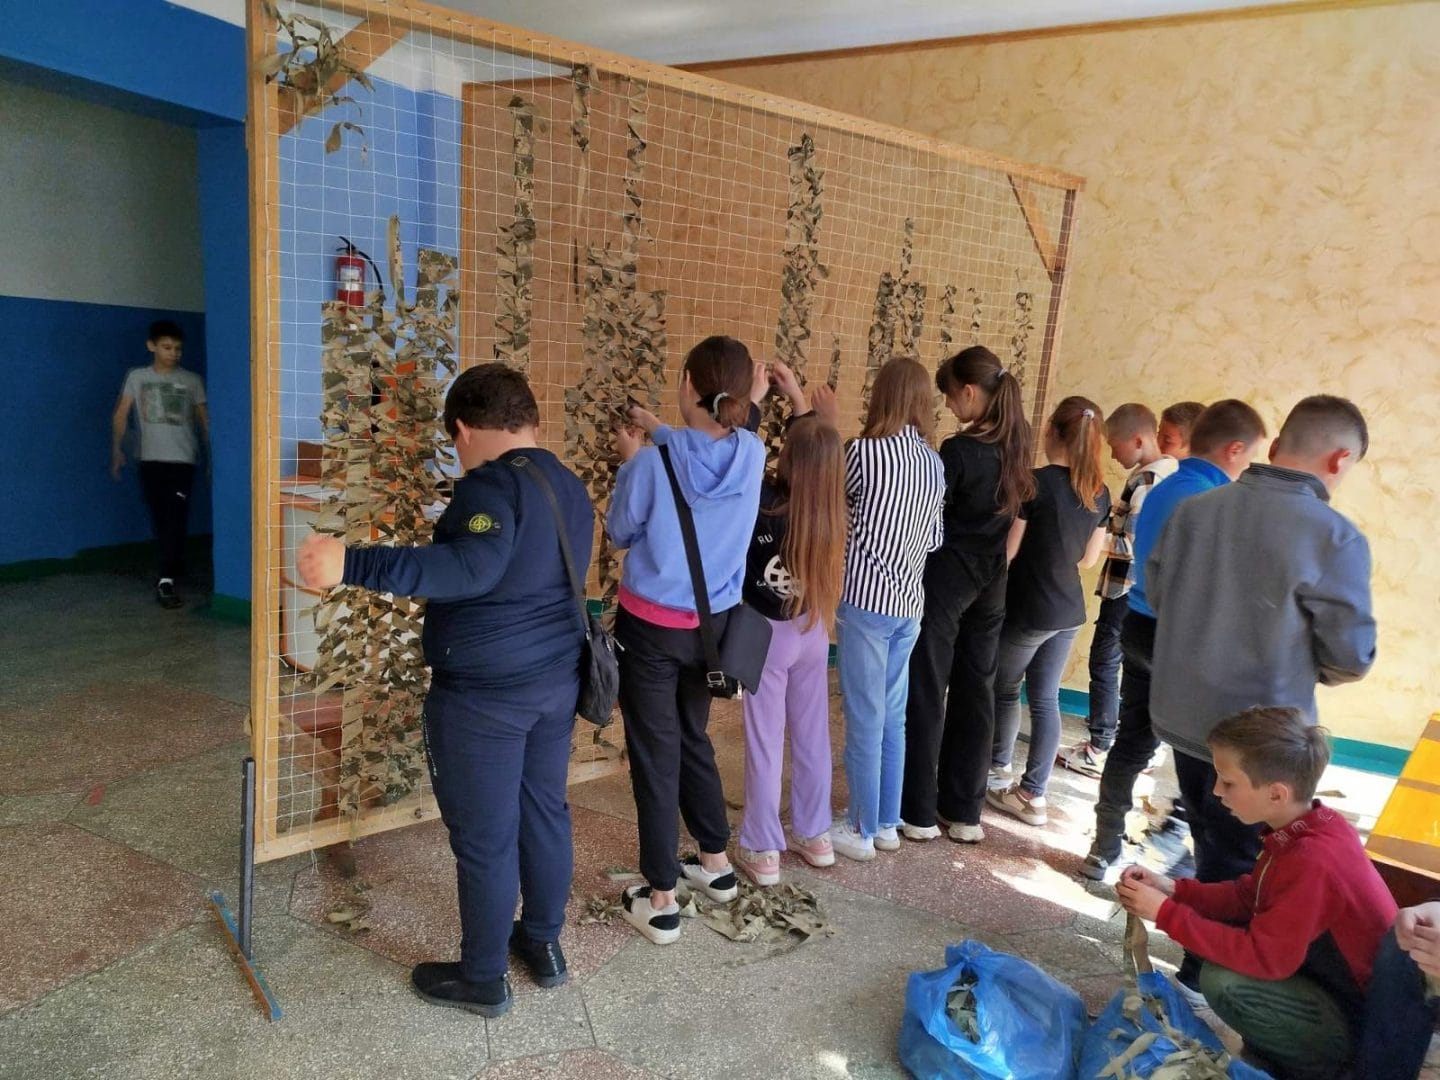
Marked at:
<point>64,368</point>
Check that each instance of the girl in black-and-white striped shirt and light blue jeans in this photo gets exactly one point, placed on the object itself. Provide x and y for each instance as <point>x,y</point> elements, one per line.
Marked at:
<point>895,490</point>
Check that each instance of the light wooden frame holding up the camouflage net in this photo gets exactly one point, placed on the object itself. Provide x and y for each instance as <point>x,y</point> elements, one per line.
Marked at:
<point>382,25</point>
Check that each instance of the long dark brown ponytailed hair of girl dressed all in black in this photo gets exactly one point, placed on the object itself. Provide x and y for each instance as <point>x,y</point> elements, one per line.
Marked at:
<point>1003,423</point>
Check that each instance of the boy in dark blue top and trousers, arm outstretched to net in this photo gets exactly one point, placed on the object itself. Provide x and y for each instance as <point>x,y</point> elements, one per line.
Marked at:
<point>503,639</point>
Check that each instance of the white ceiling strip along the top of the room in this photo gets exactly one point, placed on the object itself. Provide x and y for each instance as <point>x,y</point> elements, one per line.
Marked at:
<point>699,31</point>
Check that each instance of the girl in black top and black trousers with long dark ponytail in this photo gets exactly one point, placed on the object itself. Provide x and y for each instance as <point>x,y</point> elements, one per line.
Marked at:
<point>987,479</point>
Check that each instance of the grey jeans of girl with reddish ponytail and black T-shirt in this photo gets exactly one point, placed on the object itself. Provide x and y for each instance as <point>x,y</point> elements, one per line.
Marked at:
<point>1036,659</point>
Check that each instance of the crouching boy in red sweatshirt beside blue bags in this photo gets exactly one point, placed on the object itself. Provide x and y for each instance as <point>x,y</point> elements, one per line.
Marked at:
<point>1290,947</point>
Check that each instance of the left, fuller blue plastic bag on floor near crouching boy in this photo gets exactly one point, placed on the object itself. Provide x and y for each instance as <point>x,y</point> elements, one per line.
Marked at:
<point>1030,1026</point>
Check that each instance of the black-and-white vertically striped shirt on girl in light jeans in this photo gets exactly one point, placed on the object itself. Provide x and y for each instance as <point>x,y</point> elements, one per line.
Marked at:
<point>895,489</point>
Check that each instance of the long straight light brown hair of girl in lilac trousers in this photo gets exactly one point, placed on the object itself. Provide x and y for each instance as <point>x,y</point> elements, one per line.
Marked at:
<point>811,473</point>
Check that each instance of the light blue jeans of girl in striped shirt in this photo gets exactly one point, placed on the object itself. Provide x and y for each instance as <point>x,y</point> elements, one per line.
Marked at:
<point>875,682</point>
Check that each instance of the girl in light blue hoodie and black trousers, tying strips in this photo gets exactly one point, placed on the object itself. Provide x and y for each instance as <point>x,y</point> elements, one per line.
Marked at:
<point>665,698</point>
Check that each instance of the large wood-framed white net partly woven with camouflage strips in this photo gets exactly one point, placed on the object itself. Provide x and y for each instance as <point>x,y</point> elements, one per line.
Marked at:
<point>663,211</point>
